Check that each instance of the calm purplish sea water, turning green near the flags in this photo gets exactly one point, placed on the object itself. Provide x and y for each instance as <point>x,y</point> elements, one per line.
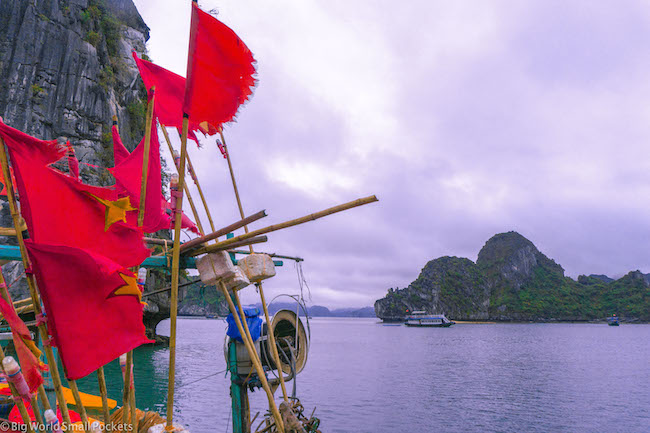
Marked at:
<point>363,376</point>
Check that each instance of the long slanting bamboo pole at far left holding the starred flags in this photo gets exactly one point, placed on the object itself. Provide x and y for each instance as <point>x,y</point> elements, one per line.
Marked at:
<point>31,283</point>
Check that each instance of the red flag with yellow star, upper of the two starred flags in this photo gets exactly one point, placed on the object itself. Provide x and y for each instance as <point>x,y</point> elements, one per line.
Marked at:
<point>77,215</point>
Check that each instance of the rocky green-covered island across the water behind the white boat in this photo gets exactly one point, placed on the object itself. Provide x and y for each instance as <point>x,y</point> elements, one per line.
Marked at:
<point>513,281</point>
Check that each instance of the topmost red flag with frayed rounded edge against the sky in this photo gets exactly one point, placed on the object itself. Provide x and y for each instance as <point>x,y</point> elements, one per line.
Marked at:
<point>220,71</point>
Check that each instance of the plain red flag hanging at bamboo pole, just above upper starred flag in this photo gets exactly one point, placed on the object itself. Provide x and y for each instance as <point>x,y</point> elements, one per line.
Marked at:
<point>128,176</point>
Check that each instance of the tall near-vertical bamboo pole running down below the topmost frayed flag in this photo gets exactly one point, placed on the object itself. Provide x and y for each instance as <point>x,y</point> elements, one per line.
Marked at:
<point>176,255</point>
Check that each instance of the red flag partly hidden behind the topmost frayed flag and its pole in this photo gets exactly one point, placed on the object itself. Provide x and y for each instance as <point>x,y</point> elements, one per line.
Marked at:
<point>170,88</point>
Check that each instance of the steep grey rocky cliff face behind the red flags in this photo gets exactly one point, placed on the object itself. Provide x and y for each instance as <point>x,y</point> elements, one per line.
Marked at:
<point>65,69</point>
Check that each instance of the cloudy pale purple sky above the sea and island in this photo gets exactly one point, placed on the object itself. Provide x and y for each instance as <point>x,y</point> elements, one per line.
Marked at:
<point>465,118</point>
